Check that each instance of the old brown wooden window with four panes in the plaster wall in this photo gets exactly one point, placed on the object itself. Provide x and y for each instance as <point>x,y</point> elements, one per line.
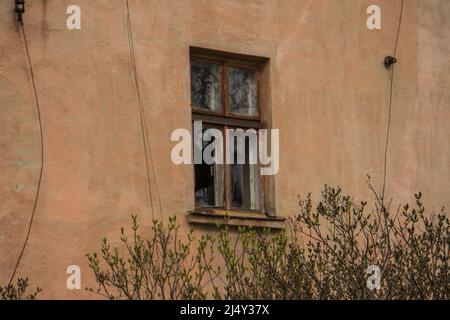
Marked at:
<point>226,94</point>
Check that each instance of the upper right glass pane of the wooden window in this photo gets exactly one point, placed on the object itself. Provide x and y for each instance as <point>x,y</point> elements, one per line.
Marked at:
<point>242,91</point>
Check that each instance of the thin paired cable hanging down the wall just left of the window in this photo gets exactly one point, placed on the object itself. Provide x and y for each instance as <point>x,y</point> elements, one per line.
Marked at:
<point>143,122</point>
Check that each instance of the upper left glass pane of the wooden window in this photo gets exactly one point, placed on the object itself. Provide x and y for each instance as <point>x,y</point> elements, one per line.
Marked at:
<point>205,85</point>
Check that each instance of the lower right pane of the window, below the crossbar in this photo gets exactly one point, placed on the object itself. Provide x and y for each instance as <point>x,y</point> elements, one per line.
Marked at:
<point>245,183</point>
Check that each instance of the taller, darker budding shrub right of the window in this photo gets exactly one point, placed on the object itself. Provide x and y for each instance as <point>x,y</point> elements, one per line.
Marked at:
<point>344,239</point>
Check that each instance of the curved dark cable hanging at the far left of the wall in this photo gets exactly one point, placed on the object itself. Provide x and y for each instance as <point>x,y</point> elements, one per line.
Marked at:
<point>42,156</point>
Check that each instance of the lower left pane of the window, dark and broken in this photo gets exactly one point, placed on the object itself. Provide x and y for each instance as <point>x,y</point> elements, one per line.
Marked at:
<point>209,183</point>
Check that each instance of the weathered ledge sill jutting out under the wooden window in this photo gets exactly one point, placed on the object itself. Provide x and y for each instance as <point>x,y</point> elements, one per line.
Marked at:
<point>235,219</point>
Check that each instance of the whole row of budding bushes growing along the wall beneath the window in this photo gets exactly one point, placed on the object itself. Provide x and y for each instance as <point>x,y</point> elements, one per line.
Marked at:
<point>325,254</point>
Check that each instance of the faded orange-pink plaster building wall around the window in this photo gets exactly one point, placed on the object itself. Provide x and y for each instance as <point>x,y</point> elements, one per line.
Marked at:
<point>329,95</point>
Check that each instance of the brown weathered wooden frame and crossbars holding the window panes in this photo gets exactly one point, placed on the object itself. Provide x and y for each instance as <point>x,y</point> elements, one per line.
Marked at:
<point>226,119</point>
